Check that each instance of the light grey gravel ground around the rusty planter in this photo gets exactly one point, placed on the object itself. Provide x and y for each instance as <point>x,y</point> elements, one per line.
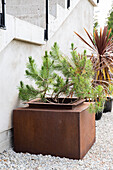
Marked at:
<point>99,157</point>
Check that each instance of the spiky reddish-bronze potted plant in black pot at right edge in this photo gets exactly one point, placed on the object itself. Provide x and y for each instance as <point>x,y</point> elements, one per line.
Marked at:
<point>102,61</point>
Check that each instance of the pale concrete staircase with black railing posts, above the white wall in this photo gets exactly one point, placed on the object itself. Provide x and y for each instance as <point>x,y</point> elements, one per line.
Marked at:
<point>34,12</point>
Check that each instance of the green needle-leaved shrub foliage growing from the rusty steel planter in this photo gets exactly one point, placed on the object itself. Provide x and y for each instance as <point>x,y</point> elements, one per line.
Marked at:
<point>62,76</point>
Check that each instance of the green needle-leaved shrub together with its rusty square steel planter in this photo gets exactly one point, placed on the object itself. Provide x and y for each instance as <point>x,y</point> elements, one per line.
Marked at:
<point>58,122</point>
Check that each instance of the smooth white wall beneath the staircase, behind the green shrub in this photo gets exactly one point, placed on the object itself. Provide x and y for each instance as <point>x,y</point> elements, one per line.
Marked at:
<point>14,57</point>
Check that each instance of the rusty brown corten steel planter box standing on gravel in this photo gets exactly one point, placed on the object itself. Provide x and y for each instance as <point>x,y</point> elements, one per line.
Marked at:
<point>60,132</point>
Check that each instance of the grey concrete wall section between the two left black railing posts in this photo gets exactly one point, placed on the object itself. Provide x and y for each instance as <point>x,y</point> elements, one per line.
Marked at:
<point>27,10</point>
